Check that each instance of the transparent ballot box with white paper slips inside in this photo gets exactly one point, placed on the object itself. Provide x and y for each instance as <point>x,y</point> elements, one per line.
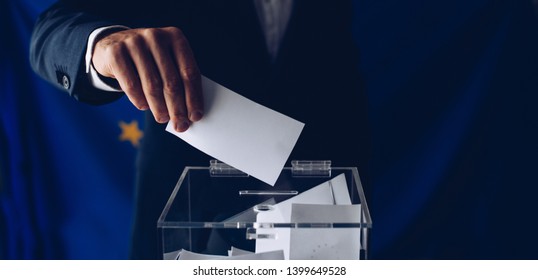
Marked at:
<point>314,211</point>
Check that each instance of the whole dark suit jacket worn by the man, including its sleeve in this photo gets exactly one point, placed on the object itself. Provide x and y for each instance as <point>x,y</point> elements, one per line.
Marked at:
<point>315,80</point>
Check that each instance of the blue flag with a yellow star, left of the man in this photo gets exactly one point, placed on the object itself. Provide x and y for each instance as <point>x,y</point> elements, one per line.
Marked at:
<point>66,168</point>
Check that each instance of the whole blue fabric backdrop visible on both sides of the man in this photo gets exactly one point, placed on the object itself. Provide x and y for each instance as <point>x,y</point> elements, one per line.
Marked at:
<point>452,94</point>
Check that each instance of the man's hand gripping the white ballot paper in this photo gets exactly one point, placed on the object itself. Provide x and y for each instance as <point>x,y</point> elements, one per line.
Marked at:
<point>156,69</point>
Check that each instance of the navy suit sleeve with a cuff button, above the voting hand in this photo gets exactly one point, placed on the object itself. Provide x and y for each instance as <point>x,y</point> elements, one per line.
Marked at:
<point>57,49</point>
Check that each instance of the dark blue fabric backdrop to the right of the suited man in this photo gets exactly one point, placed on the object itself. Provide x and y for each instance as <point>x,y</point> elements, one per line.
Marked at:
<point>452,89</point>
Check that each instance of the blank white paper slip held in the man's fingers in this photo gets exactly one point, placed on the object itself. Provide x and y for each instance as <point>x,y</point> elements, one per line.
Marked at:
<point>242,133</point>
